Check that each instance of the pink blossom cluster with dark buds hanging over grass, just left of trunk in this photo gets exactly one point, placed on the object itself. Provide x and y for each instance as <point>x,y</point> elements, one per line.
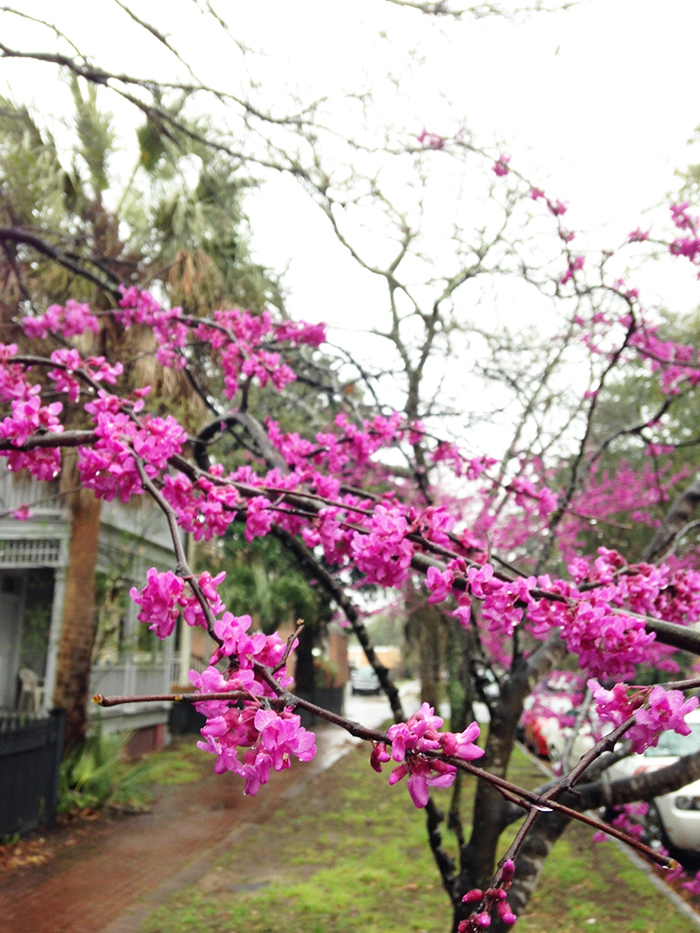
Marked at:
<point>409,742</point>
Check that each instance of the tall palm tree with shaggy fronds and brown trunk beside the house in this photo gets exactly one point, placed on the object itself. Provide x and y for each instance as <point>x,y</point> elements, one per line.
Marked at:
<point>68,229</point>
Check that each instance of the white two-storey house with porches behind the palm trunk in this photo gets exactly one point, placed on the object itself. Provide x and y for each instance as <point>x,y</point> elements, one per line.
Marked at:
<point>128,658</point>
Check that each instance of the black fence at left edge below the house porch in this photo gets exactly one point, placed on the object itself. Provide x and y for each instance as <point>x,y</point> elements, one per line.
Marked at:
<point>30,756</point>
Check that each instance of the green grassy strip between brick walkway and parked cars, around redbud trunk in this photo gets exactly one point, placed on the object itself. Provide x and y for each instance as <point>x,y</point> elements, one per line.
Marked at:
<point>350,855</point>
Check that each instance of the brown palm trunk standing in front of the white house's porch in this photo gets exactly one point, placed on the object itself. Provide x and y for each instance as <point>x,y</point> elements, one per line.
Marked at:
<point>78,627</point>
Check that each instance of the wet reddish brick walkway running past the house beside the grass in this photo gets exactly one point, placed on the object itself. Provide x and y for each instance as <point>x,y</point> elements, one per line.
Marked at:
<point>124,868</point>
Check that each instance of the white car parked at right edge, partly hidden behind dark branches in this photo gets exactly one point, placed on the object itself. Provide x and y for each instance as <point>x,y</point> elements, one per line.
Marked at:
<point>673,819</point>
